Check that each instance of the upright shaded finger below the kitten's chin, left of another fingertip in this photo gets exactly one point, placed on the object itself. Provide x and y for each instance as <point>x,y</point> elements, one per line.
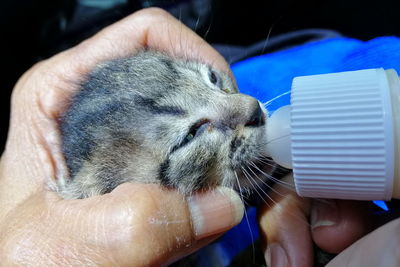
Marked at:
<point>286,231</point>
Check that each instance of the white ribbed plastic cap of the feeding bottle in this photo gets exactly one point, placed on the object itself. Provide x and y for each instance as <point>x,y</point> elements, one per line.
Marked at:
<point>342,135</point>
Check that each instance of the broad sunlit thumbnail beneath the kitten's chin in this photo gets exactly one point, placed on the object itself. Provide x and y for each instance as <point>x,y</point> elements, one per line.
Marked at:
<point>215,211</point>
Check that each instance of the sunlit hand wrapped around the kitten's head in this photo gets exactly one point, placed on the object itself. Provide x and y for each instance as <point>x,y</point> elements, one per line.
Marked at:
<point>134,225</point>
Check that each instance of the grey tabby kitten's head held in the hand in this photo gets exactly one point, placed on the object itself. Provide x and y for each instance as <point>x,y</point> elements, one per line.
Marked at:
<point>133,121</point>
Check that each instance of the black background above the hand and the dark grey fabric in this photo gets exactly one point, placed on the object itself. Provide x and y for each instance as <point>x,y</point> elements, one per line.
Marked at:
<point>32,30</point>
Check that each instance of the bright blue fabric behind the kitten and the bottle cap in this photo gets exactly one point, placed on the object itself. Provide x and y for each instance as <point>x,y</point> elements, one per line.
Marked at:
<point>267,76</point>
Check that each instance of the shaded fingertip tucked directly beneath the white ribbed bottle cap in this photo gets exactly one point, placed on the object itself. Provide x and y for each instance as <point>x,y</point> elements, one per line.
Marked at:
<point>336,224</point>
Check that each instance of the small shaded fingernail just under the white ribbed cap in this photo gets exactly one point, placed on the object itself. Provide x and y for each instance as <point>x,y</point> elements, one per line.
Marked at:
<point>324,213</point>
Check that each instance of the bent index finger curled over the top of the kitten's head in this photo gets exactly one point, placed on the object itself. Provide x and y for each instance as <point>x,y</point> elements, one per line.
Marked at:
<point>148,28</point>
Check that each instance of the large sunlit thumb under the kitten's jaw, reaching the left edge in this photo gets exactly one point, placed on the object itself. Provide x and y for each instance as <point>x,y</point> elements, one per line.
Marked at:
<point>135,225</point>
